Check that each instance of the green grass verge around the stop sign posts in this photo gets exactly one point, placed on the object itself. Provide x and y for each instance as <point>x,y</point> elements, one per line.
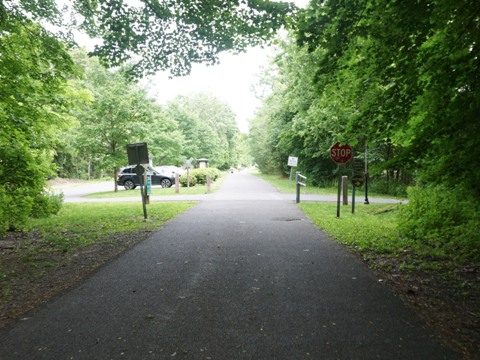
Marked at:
<point>373,232</point>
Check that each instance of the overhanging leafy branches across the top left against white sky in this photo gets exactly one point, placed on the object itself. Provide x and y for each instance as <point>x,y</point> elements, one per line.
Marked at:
<point>163,34</point>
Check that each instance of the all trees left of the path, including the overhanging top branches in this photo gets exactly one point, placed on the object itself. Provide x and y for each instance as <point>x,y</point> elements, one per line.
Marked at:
<point>62,113</point>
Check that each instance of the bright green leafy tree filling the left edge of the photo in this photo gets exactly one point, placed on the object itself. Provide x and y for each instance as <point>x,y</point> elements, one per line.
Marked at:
<point>34,100</point>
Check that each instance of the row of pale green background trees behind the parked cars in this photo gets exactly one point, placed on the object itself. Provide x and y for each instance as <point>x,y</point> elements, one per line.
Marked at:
<point>115,111</point>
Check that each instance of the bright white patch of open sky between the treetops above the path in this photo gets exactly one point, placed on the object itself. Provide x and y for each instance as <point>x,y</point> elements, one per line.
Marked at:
<point>231,80</point>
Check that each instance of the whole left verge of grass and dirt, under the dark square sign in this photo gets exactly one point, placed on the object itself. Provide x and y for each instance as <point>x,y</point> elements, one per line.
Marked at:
<point>57,252</point>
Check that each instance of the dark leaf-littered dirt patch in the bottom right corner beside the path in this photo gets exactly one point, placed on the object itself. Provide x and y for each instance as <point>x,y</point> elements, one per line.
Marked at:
<point>448,301</point>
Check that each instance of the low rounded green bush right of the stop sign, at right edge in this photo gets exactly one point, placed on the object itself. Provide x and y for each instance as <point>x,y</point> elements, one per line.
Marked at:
<point>444,218</point>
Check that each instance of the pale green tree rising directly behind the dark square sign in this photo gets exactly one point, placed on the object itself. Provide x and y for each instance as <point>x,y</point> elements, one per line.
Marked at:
<point>120,113</point>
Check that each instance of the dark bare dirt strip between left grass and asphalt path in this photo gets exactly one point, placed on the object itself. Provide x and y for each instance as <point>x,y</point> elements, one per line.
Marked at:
<point>33,272</point>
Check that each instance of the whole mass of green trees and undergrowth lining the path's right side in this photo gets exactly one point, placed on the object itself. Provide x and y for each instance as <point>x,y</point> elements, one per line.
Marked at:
<point>399,77</point>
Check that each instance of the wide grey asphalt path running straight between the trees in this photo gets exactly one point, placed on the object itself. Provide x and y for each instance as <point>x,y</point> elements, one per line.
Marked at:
<point>243,276</point>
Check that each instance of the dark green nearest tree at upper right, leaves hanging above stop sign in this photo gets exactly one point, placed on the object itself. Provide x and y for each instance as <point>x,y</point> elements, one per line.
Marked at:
<point>407,75</point>
